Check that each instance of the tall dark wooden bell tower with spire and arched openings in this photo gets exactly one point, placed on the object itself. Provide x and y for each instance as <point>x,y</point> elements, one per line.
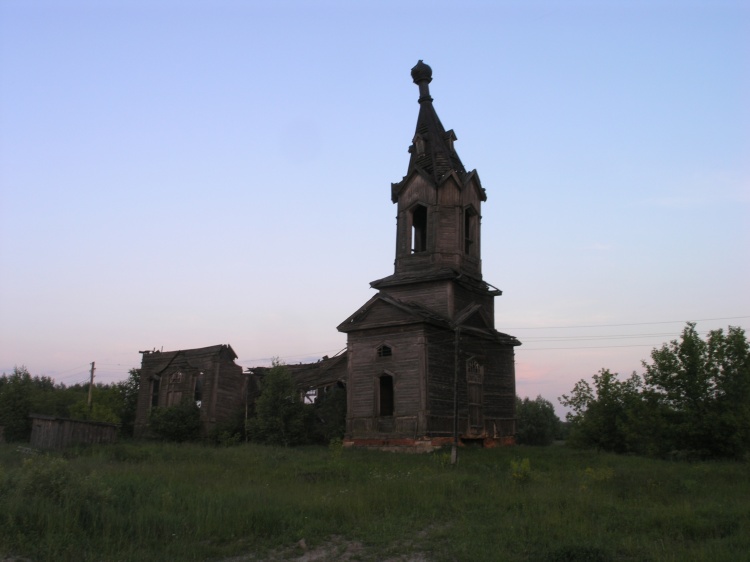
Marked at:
<point>426,342</point>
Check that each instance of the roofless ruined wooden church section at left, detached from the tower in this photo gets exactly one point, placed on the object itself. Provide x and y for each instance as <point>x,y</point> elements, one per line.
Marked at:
<point>207,375</point>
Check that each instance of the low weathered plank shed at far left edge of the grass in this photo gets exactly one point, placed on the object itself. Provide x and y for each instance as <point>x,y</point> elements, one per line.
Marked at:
<point>50,432</point>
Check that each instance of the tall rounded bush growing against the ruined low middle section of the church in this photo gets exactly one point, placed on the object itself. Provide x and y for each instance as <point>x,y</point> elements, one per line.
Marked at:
<point>279,411</point>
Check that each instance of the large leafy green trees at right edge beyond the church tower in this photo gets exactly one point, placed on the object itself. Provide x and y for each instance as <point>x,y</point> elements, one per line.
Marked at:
<point>692,401</point>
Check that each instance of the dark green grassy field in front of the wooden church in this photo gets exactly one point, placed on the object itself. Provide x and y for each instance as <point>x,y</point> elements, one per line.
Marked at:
<point>141,502</point>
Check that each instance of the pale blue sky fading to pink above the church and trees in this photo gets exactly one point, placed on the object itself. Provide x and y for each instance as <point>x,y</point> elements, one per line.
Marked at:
<point>182,174</point>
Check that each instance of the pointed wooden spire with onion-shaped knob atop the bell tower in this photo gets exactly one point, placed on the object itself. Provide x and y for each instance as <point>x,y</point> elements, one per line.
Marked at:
<point>432,146</point>
